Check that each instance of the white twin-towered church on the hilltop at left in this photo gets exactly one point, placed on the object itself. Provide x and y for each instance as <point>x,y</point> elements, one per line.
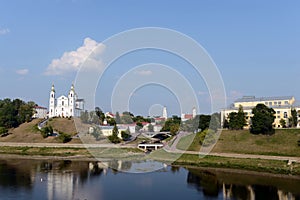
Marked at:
<point>63,106</point>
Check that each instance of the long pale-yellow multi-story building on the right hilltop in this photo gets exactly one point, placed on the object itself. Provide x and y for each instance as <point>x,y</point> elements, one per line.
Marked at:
<point>281,105</point>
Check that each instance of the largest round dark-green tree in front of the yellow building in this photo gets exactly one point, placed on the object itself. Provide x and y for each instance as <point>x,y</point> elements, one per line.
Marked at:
<point>262,120</point>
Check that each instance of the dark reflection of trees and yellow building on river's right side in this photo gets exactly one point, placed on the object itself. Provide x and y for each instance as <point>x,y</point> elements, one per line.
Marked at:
<point>241,186</point>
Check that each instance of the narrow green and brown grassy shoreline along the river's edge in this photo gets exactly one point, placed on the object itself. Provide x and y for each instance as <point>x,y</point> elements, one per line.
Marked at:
<point>277,167</point>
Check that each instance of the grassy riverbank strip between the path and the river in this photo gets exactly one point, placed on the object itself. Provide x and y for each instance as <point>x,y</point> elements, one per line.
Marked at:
<point>189,160</point>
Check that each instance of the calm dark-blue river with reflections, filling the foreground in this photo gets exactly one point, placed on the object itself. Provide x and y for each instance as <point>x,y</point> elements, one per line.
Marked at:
<point>33,179</point>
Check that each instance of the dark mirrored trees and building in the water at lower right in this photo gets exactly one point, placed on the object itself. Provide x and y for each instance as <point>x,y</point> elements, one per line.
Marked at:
<point>212,185</point>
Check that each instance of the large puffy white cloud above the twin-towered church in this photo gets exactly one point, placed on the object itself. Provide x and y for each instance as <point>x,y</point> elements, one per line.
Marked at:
<point>71,61</point>
